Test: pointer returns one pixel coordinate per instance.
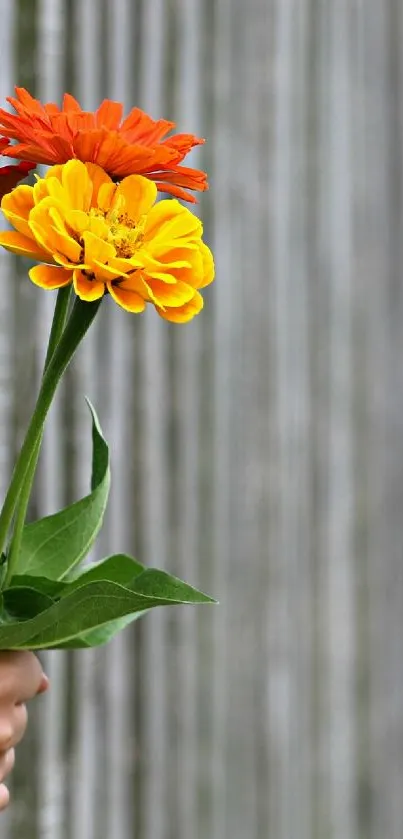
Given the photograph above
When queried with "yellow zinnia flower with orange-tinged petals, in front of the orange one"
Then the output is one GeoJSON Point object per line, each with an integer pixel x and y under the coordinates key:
{"type": "Point", "coordinates": [110, 237]}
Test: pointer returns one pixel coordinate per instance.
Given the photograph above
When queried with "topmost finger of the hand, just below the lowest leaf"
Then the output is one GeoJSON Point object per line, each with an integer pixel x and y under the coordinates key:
{"type": "Point", "coordinates": [20, 676]}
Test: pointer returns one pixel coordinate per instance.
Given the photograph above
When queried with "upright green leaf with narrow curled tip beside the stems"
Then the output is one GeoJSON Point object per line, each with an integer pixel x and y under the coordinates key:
{"type": "Point", "coordinates": [54, 545]}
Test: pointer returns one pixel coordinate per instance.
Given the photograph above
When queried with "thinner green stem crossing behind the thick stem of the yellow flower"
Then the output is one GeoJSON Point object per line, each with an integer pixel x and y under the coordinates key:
{"type": "Point", "coordinates": [58, 324]}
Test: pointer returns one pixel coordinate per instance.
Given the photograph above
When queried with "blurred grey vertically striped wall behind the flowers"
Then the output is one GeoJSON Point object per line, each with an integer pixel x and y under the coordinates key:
{"type": "Point", "coordinates": [257, 452]}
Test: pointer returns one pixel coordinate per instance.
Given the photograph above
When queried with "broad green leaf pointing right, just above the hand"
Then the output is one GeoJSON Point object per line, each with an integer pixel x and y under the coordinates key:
{"type": "Point", "coordinates": [89, 614]}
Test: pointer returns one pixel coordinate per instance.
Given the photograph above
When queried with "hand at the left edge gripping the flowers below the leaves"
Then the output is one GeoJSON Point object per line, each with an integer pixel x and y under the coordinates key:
{"type": "Point", "coordinates": [21, 678]}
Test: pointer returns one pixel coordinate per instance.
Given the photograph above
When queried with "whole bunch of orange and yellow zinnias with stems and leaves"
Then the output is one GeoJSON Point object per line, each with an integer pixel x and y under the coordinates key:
{"type": "Point", "coordinates": [94, 227]}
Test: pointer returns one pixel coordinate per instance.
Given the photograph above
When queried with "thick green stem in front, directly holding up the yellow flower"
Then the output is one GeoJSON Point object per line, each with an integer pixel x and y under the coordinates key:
{"type": "Point", "coordinates": [79, 322]}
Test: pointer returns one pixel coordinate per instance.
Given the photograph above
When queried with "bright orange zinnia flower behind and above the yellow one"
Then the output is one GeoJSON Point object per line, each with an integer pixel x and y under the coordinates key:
{"type": "Point", "coordinates": [136, 145]}
